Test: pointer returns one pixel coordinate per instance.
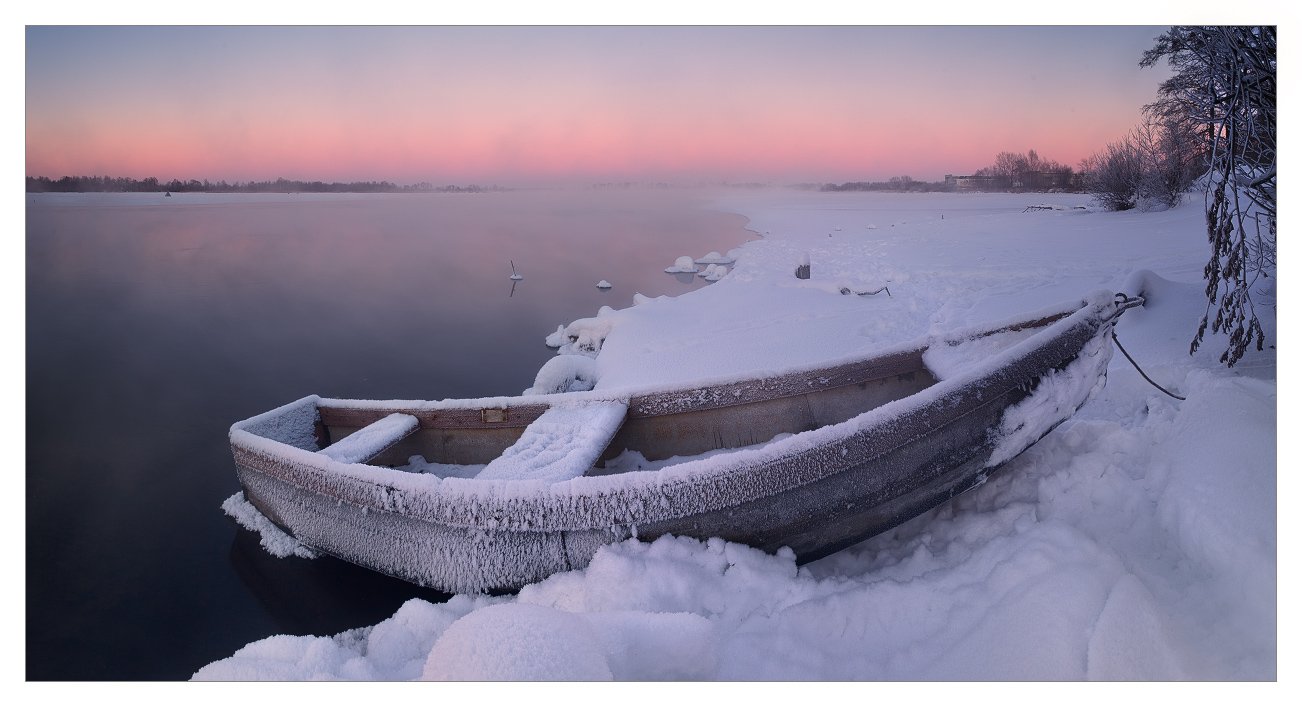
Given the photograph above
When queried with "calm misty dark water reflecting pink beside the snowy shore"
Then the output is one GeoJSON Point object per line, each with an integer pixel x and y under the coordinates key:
{"type": "Point", "coordinates": [154, 324]}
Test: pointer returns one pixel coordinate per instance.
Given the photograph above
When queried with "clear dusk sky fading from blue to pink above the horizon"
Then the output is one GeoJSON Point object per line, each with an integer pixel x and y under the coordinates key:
{"type": "Point", "coordinates": [537, 105]}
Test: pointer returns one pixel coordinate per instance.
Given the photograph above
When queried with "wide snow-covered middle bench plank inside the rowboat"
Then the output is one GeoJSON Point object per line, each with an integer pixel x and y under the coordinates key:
{"type": "Point", "coordinates": [563, 443]}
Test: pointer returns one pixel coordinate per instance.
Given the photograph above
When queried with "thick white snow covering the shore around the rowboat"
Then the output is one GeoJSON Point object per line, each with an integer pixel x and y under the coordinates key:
{"type": "Point", "coordinates": [1136, 542]}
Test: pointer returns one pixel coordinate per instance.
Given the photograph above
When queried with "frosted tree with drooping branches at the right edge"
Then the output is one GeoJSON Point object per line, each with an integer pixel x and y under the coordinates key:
{"type": "Point", "coordinates": [1225, 81]}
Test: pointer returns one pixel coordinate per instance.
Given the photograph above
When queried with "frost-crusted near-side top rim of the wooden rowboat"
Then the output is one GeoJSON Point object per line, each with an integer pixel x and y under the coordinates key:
{"type": "Point", "coordinates": [616, 502]}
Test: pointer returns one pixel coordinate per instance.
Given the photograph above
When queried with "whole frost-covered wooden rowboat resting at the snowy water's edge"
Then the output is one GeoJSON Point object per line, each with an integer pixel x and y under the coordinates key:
{"type": "Point", "coordinates": [813, 460]}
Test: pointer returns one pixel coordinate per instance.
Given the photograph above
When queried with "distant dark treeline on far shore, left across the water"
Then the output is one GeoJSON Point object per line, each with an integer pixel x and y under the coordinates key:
{"type": "Point", "coordinates": [282, 186]}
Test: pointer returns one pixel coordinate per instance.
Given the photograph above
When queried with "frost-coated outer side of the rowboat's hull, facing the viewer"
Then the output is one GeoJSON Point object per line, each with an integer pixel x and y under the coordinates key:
{"type": "Point", "coordinates": [816, 494]}
